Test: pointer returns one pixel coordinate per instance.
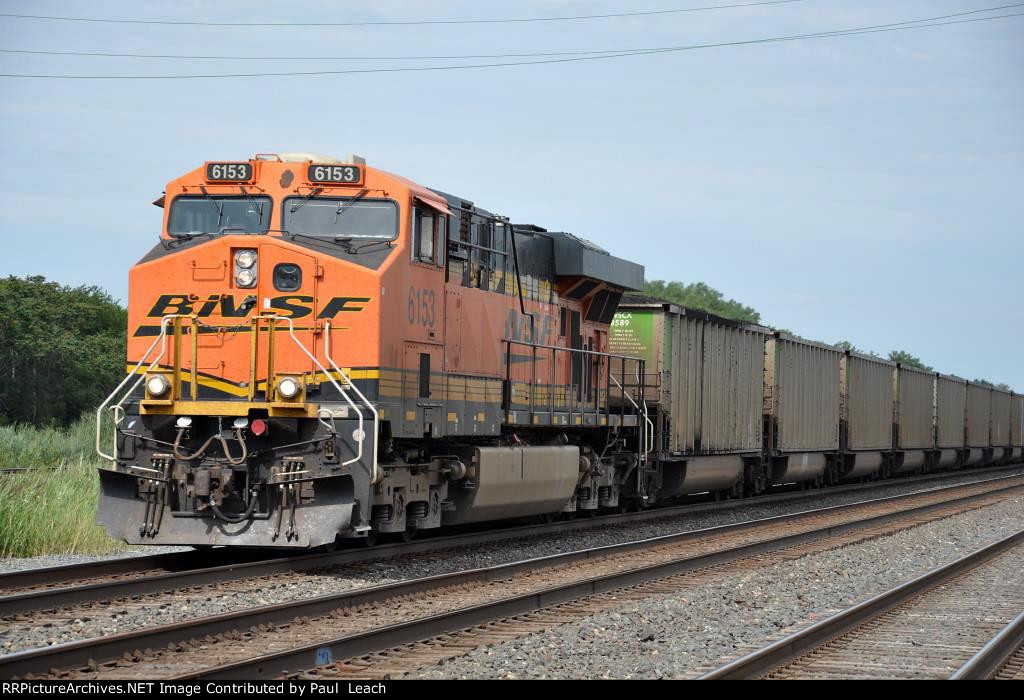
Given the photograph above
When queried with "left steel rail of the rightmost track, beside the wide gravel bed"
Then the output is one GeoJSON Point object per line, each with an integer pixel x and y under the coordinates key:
{"type": "Point", "coordinates": [782, 652]}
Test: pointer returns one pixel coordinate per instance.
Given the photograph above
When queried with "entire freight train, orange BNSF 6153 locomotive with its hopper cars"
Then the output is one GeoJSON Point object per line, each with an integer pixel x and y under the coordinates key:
{"type": "Point", "coordinates": [322, 351]}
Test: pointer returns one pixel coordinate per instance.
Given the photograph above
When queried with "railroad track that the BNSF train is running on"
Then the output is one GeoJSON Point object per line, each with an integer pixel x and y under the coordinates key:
{"type": "Point", "coordinates": [77, 585]}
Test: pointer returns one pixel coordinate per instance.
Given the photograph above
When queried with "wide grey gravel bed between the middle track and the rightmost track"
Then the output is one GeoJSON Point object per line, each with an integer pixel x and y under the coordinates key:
{"type": "Point", "coordinates": [675, 636]}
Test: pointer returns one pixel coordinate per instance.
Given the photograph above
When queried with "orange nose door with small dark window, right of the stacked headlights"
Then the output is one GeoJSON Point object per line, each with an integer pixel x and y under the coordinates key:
{"type": "Point", "coordinates": [287, 287]}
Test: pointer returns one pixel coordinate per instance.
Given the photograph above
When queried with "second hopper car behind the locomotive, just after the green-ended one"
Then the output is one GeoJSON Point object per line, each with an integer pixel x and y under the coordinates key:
{"type": "Point", "coordinates": [801, 409]}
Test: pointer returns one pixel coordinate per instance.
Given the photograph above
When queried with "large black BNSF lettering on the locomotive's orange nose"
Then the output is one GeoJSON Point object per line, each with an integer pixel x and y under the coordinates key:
{"type": "Point", "coordinates": [225, 305]}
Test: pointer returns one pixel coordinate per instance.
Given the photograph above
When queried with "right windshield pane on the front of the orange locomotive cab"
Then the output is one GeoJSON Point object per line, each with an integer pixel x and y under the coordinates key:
{"type": "Point", "coordinates": [343, 218]}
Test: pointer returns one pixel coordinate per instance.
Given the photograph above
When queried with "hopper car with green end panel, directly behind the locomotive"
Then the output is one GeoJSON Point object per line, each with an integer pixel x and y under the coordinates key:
{"type": "Point", "coordinates": [705, 377]}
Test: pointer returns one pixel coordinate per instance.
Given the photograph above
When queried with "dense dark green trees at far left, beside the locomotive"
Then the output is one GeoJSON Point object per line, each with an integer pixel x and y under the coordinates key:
{"type": "Point", "coordinates": [62, 351]}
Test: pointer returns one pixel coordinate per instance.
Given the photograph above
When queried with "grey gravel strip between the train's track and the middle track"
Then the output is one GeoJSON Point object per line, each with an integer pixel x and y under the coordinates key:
{"type": "Point", "coordinates": [110, 619]}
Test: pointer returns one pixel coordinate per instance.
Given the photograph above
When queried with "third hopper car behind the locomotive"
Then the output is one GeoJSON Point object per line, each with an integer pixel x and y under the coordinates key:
{"type": "Point", "coordinates": [867, 416]}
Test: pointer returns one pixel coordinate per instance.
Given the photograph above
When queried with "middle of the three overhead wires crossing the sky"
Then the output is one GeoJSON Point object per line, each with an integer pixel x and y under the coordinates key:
{"type": "Point", "coordinates": [175, 57]}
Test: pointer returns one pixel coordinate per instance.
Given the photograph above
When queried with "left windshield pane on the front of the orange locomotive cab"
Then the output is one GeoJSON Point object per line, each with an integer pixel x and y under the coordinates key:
{"type": "Point", "coordinates": [215, 214]}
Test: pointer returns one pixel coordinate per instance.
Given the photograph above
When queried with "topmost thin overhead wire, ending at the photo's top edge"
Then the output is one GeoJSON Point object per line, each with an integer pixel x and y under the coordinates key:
{"type": "Point", "coordinates": [400, 23]}
